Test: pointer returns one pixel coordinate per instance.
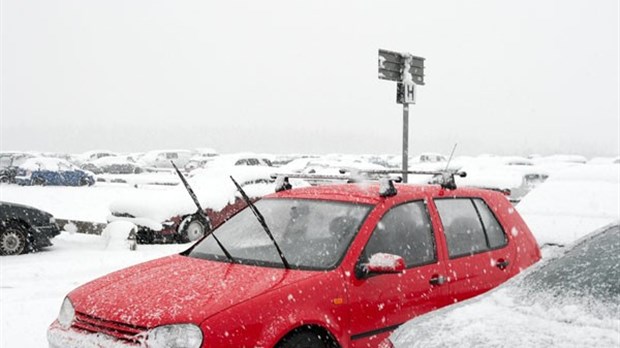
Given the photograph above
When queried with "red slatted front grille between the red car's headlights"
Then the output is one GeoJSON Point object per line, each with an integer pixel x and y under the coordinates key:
{"type": "Point", "coordinates": [128, 333]}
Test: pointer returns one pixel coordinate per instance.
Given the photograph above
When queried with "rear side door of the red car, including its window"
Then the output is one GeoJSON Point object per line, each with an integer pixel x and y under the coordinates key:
{"type": "Point", "coordinates": [479, 252]}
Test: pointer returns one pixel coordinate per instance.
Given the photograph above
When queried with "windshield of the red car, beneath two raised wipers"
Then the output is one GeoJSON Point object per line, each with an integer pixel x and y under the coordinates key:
{"type": "Point", "coordinates": [313, 234]}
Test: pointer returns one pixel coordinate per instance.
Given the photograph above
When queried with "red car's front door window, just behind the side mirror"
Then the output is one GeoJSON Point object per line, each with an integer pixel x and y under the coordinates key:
{"type": "Point", "coordinates": [405, 231]}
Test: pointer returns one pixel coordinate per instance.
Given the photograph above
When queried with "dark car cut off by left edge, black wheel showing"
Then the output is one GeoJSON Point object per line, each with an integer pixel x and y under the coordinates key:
{"type": "Point", "coordinates": [24, 228]}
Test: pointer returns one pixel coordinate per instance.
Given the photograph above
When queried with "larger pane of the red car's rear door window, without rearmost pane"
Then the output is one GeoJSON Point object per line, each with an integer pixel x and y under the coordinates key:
{"type": "Point", "coordinates": [462, 227]}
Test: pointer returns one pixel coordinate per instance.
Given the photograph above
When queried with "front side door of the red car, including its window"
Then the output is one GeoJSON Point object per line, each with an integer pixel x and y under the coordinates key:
{"type": "Point", "coordinates": [379, 303]}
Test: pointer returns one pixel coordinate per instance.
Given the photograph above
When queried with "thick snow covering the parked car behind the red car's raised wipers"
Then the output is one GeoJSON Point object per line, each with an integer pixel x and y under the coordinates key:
{"type": "Point", "coordinates": [213, 188]}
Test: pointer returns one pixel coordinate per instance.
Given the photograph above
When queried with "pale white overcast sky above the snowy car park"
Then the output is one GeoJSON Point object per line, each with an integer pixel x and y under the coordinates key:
{"type": "Point", "coordinates": [505, 77]}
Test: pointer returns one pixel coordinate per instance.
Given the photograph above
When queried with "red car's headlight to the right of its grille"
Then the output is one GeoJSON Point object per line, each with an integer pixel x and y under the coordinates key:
{"type": "Point", "coordinates": [175, 336]}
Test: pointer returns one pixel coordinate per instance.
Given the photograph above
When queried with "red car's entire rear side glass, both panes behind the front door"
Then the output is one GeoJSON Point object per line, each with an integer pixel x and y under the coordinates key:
{"type": "Point", "coordinates": [469, 226]}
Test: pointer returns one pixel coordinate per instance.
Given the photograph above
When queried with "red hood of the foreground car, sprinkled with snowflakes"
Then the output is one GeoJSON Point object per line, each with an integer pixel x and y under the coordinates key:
{"type": "Point", "coordinates": [177, 289]}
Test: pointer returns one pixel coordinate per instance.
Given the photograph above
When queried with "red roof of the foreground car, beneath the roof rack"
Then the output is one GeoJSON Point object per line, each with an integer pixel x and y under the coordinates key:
{"type": "Point", "coordinates": [368, 193]}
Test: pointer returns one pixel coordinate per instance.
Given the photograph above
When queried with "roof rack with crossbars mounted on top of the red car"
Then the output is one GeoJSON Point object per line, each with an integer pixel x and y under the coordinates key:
{"type": "Point", "coordinates": [445, 178]}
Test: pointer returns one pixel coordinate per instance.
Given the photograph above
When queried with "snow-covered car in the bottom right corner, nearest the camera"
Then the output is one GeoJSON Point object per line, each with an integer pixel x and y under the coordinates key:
{"type": "Point", "coordinates": [568, 301]}
